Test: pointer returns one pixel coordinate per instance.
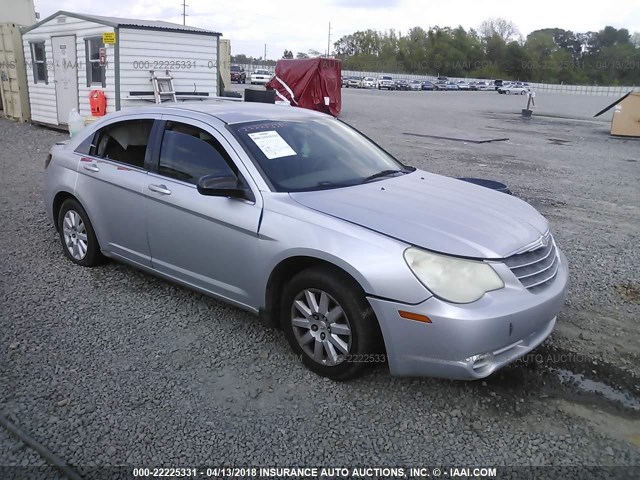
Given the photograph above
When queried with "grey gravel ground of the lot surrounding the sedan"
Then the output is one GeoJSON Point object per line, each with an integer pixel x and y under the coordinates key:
{"type": "Point", "coordinates": [110, 366]}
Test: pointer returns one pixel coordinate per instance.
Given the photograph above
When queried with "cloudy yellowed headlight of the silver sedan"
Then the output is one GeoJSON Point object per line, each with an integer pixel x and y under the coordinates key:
{"type": "Point", "coordinates": [453, 279]}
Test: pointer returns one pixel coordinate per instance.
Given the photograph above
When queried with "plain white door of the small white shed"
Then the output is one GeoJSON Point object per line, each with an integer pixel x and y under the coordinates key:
{"type": "Point", "coordinates": [66, 75]}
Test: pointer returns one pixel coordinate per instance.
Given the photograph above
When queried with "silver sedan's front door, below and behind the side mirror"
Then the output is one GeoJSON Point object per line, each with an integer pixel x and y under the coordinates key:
{"type": "Point", "coordinates": [208, 242]}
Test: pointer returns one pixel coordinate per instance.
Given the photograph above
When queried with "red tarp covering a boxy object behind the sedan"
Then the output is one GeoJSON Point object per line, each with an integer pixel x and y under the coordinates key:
{"type": "Point", "coordinates": [313, 83]}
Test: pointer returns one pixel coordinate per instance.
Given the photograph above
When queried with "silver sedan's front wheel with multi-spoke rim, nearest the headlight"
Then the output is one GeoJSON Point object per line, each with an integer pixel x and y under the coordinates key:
{"type": "Point", "coordinates": [329, 323]}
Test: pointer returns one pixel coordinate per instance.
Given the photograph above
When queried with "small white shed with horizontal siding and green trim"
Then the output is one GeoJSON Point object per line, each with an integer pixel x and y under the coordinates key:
{"type": "Point", "coordinates": [68, 55]}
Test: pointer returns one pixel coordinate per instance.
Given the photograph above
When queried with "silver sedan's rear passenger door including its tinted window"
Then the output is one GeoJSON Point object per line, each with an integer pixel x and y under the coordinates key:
{"type": "Point", "coordinates": [110, 185]}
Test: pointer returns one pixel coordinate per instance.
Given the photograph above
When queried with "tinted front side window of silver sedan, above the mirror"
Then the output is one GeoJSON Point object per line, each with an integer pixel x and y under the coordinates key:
{"type": "Point", "coordinates": [189, 153]}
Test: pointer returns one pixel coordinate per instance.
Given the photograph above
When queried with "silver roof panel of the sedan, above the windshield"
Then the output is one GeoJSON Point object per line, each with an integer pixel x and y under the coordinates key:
{"type": "Point", "coordinates": [230, 112]}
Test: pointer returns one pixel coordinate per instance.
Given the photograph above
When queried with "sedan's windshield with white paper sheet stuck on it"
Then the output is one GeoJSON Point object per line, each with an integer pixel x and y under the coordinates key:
{"type": "Point", "coordinates": [313, 154]}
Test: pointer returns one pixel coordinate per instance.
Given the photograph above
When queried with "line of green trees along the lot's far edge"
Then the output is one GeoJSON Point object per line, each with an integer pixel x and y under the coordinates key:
{"type": "Point", "coordinates": [610, 56]}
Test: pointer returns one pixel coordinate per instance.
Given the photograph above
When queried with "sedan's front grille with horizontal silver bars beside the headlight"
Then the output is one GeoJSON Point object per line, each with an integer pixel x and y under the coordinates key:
{"type": "Point", "coordinates": [535, 269]}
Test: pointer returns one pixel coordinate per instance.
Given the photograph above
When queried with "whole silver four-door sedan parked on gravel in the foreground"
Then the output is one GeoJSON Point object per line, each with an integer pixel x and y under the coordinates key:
{"type": "Point", "coordinates": [298, 218]}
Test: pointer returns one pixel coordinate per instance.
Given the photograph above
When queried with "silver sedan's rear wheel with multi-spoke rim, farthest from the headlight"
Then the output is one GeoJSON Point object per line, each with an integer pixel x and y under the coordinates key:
{"type": "Point", "coordinates": [77, 236]}
